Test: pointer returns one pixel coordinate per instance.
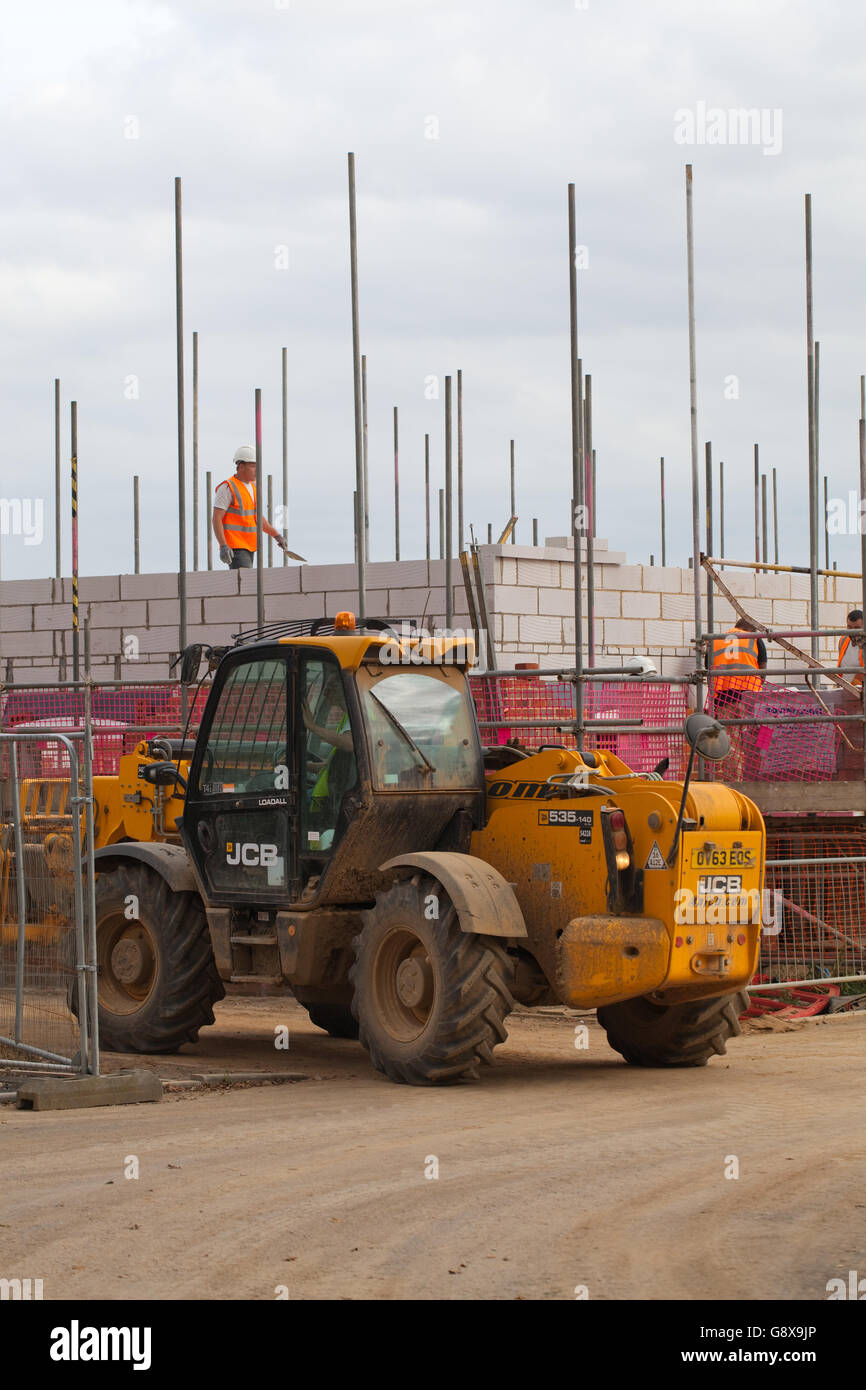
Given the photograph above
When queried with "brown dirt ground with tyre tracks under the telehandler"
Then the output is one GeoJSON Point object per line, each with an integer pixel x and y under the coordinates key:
{"type": "Point", "coordinates": [561, 1168]}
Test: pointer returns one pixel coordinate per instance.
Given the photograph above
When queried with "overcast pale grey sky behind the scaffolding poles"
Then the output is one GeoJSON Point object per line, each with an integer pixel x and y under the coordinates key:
{"type": "Point", "coordinates": [462, 248]}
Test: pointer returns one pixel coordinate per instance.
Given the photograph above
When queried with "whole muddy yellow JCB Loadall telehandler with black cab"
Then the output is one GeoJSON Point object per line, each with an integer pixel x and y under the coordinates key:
{"type": "Point", "coordinates": [334, 829]}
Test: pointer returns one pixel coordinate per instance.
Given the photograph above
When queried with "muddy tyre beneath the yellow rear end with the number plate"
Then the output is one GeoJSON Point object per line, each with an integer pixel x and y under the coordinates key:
{"type": "Point", "coordinates": [673, 1035]}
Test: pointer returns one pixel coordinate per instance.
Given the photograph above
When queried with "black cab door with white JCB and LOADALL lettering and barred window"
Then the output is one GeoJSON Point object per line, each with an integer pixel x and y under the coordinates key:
{"type": "Point", "coordinates": [240, 821]}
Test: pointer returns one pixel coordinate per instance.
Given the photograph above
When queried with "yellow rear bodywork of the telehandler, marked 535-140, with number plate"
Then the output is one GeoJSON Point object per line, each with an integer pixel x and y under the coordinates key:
{"type": "Point", "coordinates": [553, 850]}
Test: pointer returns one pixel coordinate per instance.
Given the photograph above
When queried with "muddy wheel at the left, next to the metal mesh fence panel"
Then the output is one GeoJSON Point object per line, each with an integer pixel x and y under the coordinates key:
{"type": "Point", "coordinates": [158, 981]}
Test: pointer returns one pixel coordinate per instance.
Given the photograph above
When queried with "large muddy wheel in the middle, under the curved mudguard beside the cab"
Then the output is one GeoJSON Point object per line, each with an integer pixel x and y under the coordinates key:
{"type": "Point", "coordinates": [430, 1000]}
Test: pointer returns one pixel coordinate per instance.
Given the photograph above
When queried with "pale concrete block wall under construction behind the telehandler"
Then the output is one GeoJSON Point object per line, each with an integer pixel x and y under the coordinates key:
{"type": "Point", "coordinates": [639, 610]}
